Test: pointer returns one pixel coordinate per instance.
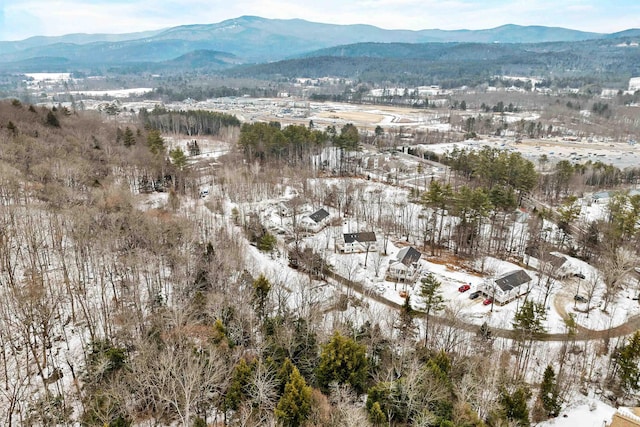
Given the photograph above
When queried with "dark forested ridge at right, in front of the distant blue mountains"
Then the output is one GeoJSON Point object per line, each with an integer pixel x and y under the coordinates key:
{"type": "Point", "coordinates": [437, 63]}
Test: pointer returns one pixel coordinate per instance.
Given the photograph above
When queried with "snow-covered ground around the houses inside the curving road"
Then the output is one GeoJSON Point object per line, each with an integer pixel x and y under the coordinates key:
{"type": "Point", "coordinates": [370, 269]}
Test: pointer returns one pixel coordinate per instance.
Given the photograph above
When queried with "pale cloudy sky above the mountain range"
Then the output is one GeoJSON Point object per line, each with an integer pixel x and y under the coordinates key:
{"type": "Point", "coordinates": [20, 19]}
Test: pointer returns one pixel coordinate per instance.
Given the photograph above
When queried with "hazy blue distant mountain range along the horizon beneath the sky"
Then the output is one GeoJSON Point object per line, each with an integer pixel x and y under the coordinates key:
{"type": "Point", "coordinates": [248, 40]}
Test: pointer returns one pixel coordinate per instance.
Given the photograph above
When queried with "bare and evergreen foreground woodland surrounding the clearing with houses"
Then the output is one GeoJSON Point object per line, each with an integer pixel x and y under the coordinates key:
{"type": "Point", "coordinates": [159, 318]}
